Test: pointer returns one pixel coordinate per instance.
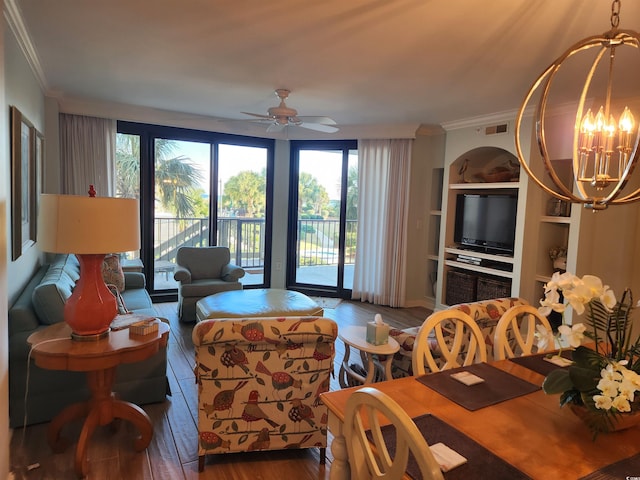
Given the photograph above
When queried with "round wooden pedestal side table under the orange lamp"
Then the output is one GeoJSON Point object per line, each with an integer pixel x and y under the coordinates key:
{"type": "Point", "coordinates": [53, 349]}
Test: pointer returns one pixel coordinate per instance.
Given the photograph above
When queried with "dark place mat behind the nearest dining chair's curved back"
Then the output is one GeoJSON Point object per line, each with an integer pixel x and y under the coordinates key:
{"type": "Point", "coordinates": [481, 463]}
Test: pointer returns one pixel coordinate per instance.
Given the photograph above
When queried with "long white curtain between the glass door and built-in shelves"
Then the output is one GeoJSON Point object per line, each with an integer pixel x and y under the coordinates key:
{"type": "Point", "coordinates": [383, 193]}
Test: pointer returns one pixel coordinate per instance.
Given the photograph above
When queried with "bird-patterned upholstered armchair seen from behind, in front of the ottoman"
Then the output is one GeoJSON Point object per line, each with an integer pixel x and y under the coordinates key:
{"type": "Point", "coordinates": [259, 383]}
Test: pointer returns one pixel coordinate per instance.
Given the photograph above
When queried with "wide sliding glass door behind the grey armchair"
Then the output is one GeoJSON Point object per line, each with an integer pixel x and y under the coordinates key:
{"type": "Point", "coordinates": [197, 189]}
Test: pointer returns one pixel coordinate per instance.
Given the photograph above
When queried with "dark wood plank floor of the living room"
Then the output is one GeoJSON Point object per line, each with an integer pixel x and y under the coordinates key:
{"type": "Point", "coordinates": [173, 452]}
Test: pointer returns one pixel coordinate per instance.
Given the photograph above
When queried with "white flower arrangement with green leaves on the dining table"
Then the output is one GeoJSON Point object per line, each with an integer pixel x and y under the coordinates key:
{"type": "Point", "coordinates": [601, 383]}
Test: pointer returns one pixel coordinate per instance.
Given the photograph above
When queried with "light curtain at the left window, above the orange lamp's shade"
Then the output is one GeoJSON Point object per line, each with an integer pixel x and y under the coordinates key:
{"type": "Point", "coordinates": [87, 154]}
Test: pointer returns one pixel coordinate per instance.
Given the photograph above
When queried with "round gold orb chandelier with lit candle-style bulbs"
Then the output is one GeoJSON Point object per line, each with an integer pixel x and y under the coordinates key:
{"type": "Point", "coordinates": [605, 132]}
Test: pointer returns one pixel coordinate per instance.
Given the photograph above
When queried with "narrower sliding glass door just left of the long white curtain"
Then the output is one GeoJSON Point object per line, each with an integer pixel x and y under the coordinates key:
{"type": "Point", "coordinates": [324, 218]}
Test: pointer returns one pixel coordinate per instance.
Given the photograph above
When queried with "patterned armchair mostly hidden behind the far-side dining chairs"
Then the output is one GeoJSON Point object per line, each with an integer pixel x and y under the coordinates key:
{"type": "Point", "coordinates": [486, 313]}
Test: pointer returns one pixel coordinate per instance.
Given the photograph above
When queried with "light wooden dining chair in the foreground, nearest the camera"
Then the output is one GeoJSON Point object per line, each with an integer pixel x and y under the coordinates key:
{"type": "Point", "coordinates": [370, 458]}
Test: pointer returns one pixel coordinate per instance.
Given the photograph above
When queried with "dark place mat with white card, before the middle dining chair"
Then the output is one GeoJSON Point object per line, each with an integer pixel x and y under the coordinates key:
{"type": "Point", "coordinates": [497, 387]}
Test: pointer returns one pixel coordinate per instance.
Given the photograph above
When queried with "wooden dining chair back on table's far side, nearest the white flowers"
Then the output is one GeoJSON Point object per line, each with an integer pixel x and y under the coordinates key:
{"type": "Point", "coordinates": [515, 333]}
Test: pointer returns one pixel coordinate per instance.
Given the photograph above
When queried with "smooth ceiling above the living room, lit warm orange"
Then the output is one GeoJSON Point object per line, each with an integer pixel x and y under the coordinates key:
{"type": "Point", "coordinates": [366, 63]}
